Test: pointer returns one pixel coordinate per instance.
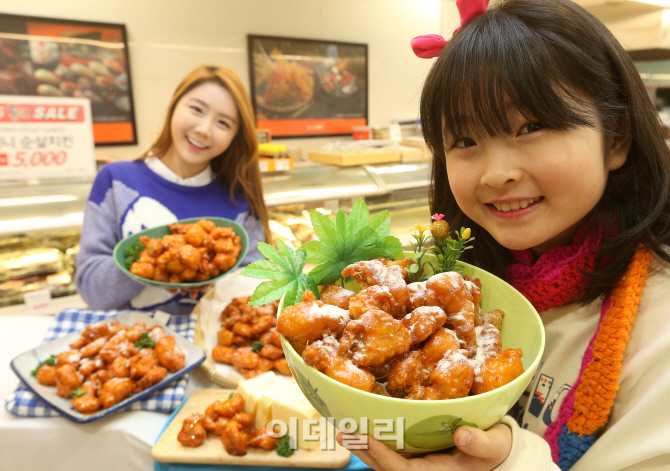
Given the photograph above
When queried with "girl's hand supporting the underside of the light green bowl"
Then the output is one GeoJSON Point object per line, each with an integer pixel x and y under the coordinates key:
{"type": "Point", "coordinates": [476, 450]}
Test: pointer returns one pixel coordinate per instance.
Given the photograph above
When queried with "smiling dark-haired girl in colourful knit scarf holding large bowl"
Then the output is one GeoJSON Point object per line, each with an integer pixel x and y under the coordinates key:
{"type": "Point", "coordinates": [547, 145]}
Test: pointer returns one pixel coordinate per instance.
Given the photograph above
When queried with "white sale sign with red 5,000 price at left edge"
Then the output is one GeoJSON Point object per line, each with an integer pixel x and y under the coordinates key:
{"type": "Point", "coordinates": [45, 137]}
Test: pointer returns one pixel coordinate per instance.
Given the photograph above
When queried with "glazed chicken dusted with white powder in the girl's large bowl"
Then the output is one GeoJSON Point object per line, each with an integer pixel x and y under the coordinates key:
{"type": "Point", "coordinates": [424, 341]}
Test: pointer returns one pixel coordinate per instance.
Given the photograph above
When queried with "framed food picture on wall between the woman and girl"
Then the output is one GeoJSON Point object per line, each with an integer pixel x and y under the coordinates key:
{"type": "Point", "coordinates": [306, 87]}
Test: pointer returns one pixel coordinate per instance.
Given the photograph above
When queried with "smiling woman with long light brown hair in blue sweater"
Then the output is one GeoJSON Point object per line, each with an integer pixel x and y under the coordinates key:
{"type": "Point", "coordinates": [204, 163]}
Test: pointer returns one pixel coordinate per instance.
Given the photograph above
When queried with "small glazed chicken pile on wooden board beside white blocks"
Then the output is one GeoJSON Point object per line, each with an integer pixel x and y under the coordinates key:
{"type": "Point", "coordinates": [227, 420]}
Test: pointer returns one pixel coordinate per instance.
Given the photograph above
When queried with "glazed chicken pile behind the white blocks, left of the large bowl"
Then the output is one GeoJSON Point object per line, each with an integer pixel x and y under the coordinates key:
{"type": "Point", "coordinates": [248, 339]}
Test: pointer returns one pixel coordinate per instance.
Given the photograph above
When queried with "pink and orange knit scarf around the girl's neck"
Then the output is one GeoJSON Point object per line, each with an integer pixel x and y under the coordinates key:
{"type": "Point", "coordinates": [556, 278]}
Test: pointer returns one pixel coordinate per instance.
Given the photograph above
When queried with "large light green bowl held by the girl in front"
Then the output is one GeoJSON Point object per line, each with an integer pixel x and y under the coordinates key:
{"type": "Point", "coordinates": [429, 425]}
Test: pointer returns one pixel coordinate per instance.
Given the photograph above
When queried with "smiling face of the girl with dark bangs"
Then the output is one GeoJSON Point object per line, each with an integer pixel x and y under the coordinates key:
{"type": "Point", "coordinates": [533, 188]}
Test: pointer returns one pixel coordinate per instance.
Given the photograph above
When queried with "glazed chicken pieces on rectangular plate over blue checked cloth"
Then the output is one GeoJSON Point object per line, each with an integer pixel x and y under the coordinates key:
{"type": "Point", "coordinates": [104, 365]}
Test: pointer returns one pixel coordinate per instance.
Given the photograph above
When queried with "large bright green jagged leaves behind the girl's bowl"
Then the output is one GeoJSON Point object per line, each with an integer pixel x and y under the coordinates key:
{"type": "Point", "coordinates": [343, 240]}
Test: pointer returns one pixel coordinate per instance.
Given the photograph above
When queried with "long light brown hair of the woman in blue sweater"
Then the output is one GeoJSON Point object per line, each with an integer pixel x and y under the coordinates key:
{"type": "Point", "coordinates": [238, 165]}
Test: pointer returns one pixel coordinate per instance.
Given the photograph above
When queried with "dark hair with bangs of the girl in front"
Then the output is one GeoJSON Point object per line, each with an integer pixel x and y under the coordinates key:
{"type": "Point", "coordinates": [554, 61]}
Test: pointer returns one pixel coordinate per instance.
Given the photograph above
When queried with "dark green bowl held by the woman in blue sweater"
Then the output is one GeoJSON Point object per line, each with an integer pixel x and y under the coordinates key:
{"type": "Point", "coordinates": [160, 231]}
